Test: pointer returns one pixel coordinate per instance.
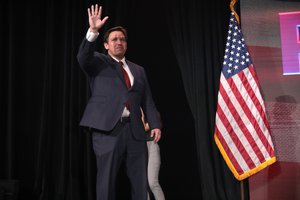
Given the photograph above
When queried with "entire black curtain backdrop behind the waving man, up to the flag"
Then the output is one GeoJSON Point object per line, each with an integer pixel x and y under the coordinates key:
{"type": "Point", "coordinates": [43, 94]}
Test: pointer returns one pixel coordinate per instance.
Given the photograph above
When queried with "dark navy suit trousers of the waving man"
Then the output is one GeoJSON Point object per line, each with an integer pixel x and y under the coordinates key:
{"type": "Point", "coordinates": [111, 149]}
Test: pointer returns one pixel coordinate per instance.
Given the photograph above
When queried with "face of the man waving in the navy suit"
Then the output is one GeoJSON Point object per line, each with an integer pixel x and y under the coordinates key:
{"type": "Point", "coordinates": [116, 44]}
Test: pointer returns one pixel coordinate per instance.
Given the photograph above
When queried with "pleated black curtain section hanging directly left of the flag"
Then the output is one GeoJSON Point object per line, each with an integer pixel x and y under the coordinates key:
{"type": "Point", "coordinates": [198, 32]}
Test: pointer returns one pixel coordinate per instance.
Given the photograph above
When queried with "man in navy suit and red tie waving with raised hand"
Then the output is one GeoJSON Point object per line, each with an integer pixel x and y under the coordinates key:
{"type": "Point", "coordinates": [113, 112]}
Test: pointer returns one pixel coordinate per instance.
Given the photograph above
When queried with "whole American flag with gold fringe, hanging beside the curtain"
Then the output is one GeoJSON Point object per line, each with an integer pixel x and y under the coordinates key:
{"type": "Point", "coordinates": [242, 131]}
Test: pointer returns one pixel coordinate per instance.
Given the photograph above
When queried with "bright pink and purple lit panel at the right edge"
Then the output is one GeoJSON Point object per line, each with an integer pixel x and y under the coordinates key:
{"type": "Point", "coordinates": [290, 42]}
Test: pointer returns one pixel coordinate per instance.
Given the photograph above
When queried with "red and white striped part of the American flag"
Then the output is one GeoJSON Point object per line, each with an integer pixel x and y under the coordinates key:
{"type": "Point", "coordinates": [241, 125]}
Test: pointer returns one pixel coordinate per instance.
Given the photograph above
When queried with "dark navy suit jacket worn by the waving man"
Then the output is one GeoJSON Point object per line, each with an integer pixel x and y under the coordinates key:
{"type": "Point", "coordinates": [109, 93]}
